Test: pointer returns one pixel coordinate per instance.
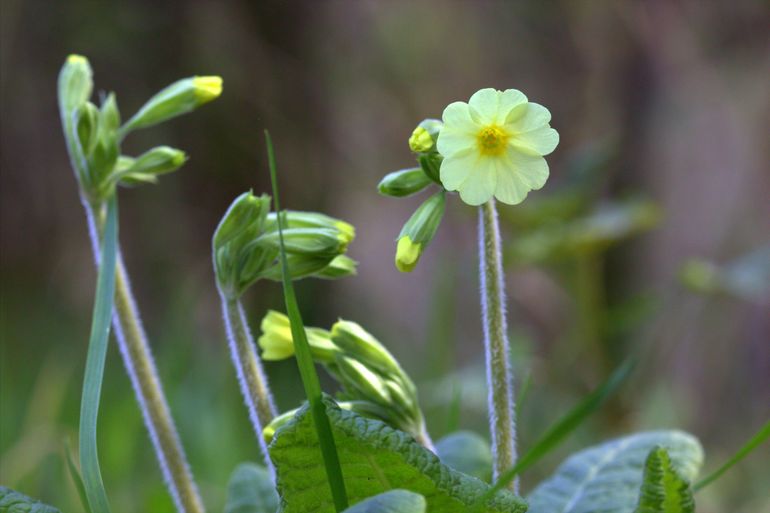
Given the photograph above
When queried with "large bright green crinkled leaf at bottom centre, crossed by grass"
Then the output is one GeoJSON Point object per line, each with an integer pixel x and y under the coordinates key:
{"type": "Point", "coordinates": [375, 458]}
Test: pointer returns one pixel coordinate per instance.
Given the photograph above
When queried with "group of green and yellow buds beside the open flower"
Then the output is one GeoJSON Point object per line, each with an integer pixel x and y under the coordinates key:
{"type": "Point", "coordinates": [419, 230]}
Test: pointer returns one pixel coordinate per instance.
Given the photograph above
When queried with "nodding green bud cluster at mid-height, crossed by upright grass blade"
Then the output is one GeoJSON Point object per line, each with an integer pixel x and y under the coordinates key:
{"type": "Point", "coordinates": [246, 245]}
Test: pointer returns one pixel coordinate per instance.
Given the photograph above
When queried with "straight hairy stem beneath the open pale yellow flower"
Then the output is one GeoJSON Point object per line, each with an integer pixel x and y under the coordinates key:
{"type": "Point", "coordinates": [502, 413]}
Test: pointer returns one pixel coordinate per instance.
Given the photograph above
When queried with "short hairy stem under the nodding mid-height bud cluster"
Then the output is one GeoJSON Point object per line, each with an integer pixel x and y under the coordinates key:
{"type": "Point", "coordinates": [254, 387]}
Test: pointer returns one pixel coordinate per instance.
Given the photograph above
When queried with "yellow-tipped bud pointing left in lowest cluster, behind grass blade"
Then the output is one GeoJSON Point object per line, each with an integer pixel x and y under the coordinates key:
{"type": "Point", "coordinates": [277, 342]}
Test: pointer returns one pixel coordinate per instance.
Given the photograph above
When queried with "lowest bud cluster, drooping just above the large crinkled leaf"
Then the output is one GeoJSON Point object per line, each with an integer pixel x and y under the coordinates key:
{"type": "Point", "coordinates": [373, 383]}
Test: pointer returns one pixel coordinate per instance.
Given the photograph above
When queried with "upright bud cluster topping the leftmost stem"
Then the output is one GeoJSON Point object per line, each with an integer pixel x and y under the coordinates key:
{"type": "Point", "coordinates": [94, 134]}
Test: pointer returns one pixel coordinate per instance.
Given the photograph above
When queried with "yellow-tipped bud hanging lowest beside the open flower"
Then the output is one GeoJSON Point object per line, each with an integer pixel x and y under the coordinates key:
{"type": "Point", "coordinates": [418, 232]}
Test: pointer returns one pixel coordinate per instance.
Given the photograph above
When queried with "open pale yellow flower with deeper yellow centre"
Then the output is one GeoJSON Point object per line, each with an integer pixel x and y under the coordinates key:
{"type": "Point", "coordinates": [494, 146]}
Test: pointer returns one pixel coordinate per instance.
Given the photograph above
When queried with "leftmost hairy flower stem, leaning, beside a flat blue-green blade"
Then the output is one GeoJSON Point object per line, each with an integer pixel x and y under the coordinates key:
{"type": "Point", "coordinates": [137, 358]}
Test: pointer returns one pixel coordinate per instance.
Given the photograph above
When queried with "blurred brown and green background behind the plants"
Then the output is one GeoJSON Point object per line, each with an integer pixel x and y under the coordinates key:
{"type": "Point", "coordinates": [662, 107]}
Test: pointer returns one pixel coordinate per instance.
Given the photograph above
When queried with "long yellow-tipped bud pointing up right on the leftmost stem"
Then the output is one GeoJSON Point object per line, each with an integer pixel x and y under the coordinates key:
{"type": "Point", "coordinates": [179, 98]}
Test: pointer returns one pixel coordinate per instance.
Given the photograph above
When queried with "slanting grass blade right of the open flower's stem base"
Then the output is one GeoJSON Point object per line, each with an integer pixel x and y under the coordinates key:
{"type": "Point", "coordinates": [559, 431]}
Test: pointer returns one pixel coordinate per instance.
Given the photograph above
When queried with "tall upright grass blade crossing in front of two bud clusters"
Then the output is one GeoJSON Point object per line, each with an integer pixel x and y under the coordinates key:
{"type": "Point", "coordinates": [305, 360]}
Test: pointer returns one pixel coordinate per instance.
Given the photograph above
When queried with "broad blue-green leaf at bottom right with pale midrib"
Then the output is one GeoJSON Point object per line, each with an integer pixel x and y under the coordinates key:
{"type": "Point", "coordinates": [607, 477]}
